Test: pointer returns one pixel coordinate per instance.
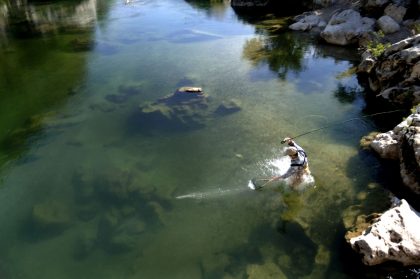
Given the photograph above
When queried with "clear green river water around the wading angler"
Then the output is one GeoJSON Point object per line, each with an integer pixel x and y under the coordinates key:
{"type": "Point", "coordinates": [89, 191]}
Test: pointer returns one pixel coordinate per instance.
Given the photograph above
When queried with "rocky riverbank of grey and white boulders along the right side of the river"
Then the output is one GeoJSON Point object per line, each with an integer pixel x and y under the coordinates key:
{"type": "Point", "coordinates": [386, 34]}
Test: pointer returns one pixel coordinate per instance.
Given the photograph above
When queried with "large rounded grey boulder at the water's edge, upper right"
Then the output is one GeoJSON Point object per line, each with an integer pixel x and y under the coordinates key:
{"type": "Point", "coordinates": [345, 27]}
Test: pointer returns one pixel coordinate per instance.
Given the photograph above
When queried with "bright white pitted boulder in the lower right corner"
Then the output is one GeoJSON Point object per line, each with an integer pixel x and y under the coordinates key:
{"type": "Point", "coordinates": [395, 236]}
